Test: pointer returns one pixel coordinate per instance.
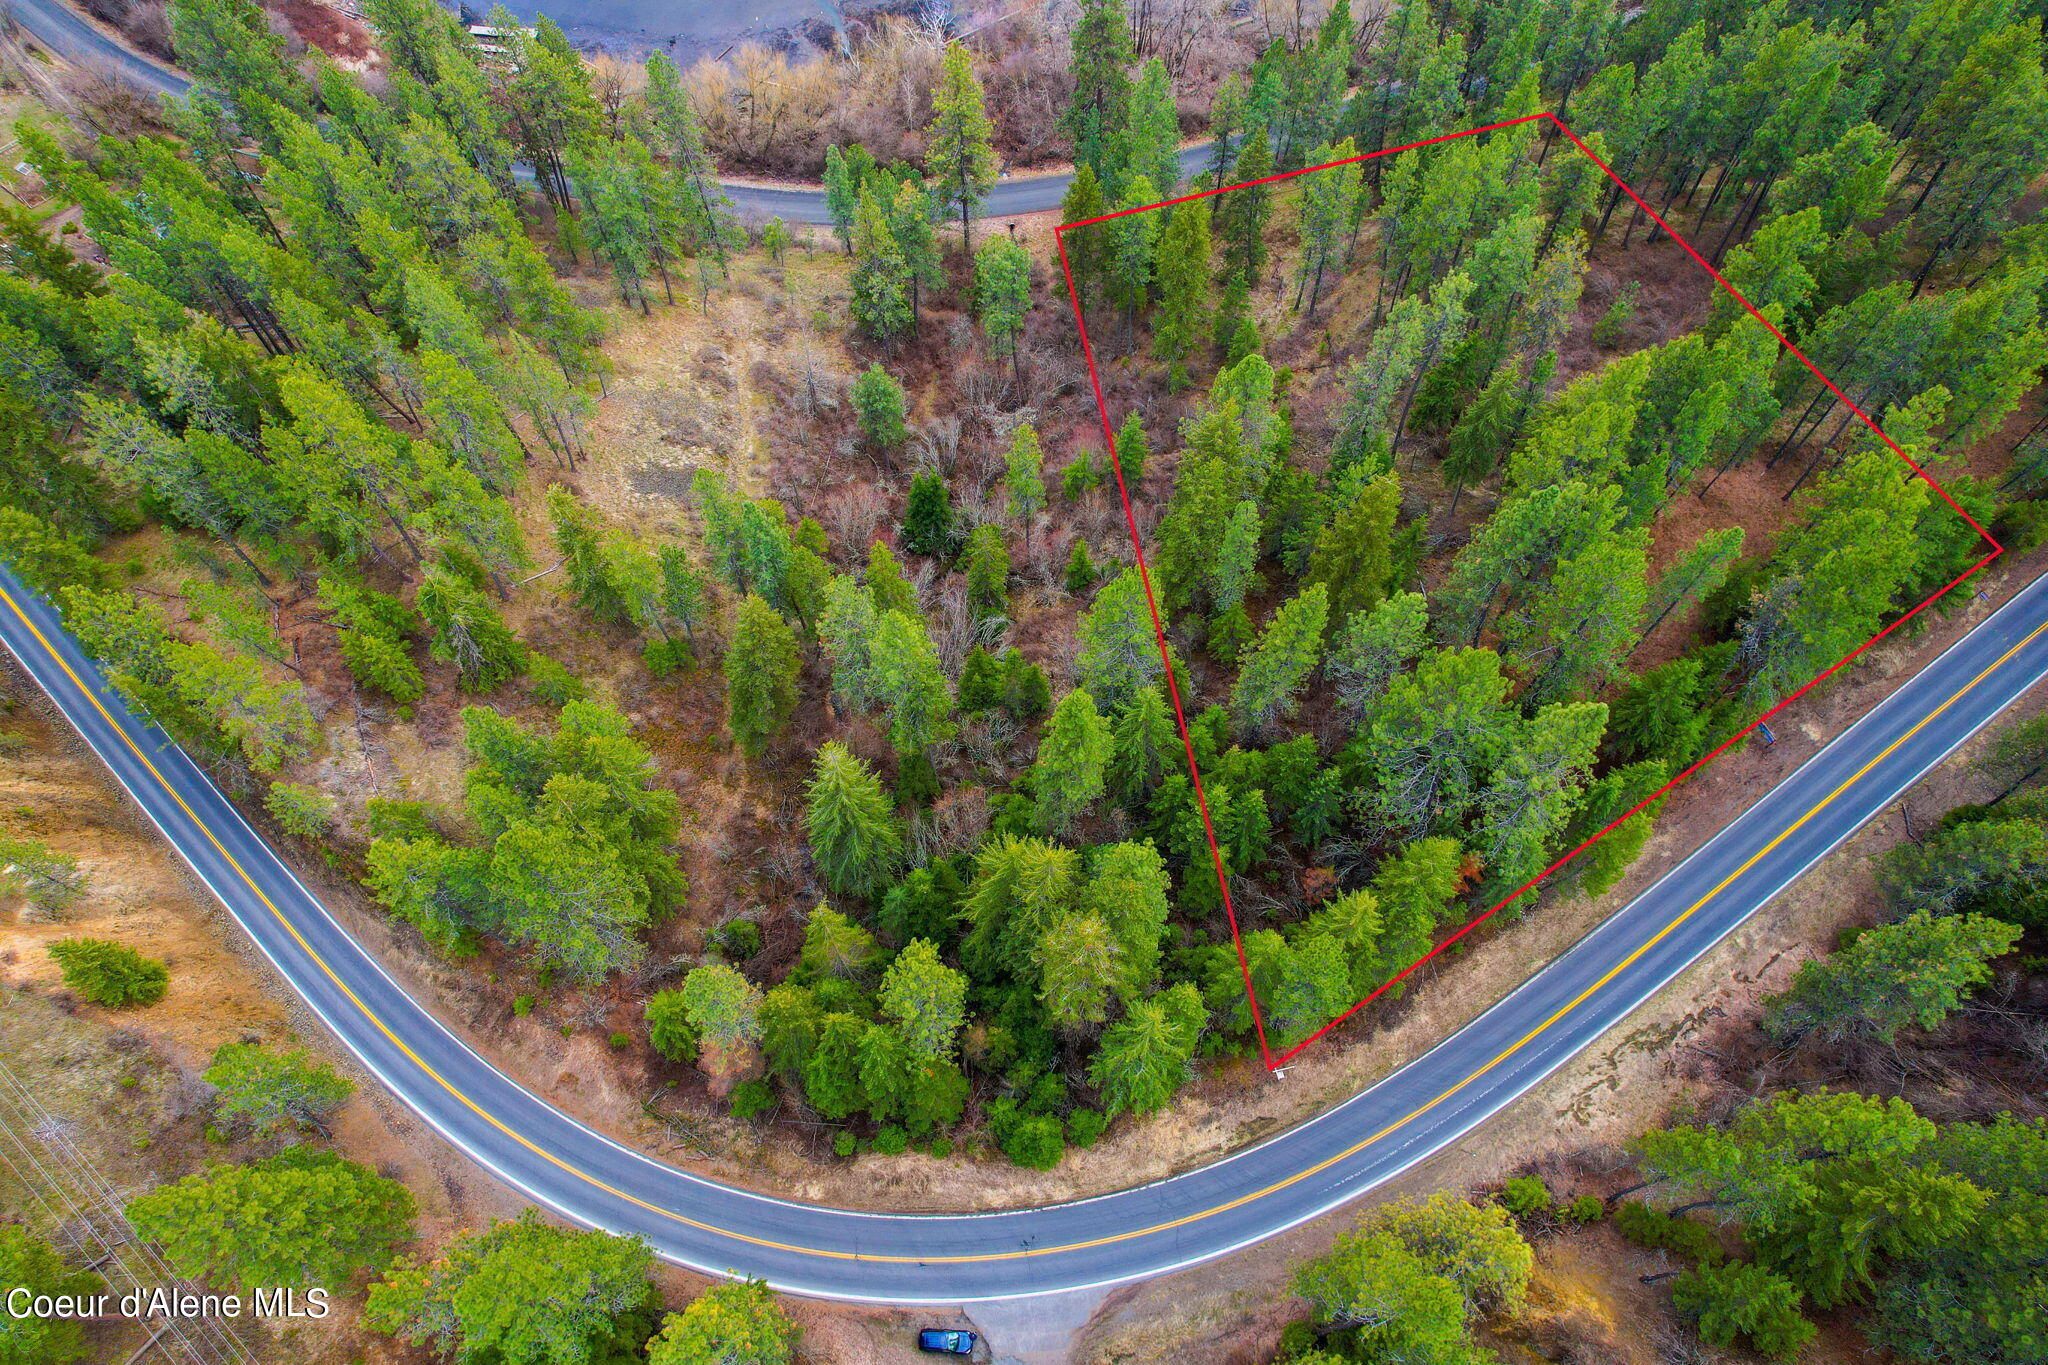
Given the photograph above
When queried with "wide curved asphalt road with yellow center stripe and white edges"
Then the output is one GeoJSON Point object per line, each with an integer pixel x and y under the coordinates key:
{"type": "Point", "coordinates": [1129, 1235]}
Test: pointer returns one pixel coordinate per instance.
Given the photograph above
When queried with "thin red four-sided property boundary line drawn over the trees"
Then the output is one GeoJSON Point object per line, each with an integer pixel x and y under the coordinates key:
{"type": "Point", "coordinates": [1181, 719]}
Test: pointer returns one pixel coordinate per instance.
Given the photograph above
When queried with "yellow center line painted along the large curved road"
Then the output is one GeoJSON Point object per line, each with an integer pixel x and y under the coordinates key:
{"type": "Point", "coordinates": [1033, 1251]}
